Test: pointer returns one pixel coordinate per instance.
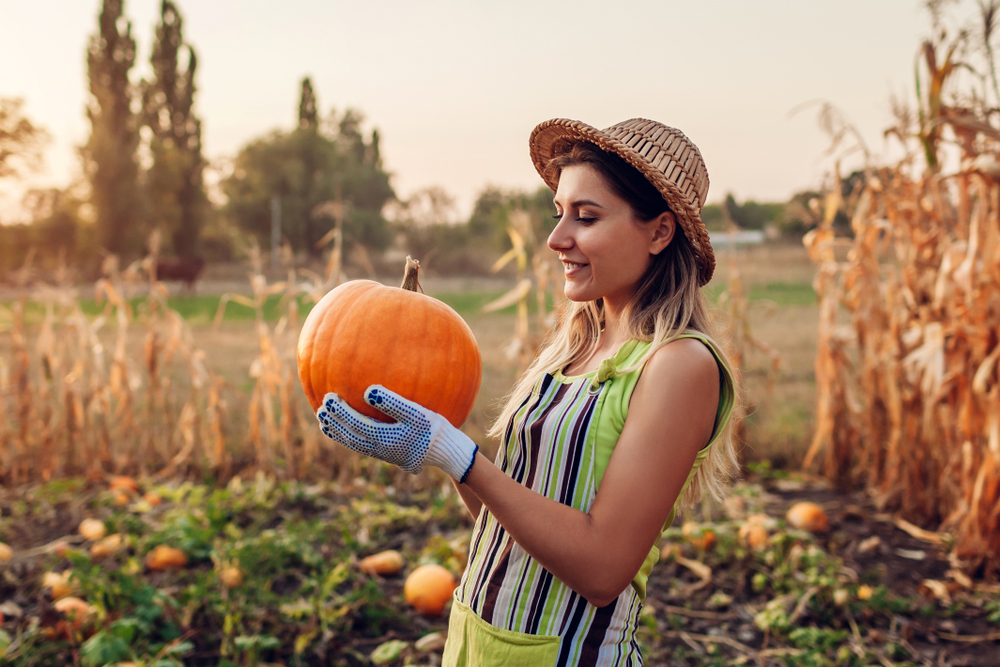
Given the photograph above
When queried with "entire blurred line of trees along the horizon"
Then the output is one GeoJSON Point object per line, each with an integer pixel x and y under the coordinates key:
{"type": "Point", "coordinates": [144, 171]}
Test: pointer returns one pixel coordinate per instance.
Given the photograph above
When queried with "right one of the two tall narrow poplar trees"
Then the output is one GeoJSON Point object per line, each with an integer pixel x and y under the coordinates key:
{"type": "Point", "coordinates": [175, 181]}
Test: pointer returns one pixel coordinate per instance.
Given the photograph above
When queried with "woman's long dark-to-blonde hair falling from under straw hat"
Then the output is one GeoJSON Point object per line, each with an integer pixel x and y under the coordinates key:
{"type": "Point", "coordinates": [667, 303]}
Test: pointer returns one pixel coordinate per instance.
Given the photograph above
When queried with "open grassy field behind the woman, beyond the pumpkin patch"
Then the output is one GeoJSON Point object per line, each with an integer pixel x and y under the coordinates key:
{"type": "Point", "coordinates": [782, 313]}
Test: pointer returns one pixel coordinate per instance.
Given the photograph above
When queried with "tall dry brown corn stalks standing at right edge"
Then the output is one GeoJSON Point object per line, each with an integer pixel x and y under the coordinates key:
{"type": "Point", "coordinates": [909, 335]}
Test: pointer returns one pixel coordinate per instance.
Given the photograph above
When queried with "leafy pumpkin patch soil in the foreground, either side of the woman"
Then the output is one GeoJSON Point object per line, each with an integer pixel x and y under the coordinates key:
{"type": "Point", "coordinates": [843, 595]}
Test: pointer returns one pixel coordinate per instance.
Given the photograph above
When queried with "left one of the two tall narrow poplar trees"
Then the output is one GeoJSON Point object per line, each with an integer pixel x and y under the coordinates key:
{"type": "Point", "coordinates": [110, 152]}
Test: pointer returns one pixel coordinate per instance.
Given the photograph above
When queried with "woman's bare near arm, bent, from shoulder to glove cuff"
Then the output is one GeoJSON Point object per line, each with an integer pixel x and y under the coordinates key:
{"type": "Point", "coordinates": [671, 417]}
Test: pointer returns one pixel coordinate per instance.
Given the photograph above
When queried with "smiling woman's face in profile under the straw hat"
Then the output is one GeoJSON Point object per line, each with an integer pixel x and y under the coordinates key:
{"type": "Point", "coordinates": [605, 249]}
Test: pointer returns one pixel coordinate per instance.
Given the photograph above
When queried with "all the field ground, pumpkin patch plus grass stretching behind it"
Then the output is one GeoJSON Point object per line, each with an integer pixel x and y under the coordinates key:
{"type": "Point", "coordinates": [868, 590]}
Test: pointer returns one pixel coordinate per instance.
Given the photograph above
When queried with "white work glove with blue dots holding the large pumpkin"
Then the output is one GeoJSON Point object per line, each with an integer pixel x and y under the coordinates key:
{"type": "Point", "coordinates": [419, 436]}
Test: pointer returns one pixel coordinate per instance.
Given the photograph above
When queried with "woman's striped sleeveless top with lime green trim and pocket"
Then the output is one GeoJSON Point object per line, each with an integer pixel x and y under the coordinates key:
{"type": "Point", "coordinates": [508, 609]}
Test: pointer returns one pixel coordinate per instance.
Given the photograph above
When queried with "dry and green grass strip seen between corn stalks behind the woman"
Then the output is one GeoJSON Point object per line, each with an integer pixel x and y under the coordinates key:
{"type": "Point", "coordinates": [781, 312]}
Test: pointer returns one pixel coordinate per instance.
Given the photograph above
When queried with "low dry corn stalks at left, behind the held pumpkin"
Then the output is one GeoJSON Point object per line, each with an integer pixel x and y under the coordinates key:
{"type": "Point", "coordinates": [129, 392]}
